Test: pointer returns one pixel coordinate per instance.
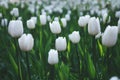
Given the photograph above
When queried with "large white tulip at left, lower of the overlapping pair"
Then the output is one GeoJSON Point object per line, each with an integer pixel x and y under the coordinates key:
{"type": "Point", "coordinates": [26, 42]}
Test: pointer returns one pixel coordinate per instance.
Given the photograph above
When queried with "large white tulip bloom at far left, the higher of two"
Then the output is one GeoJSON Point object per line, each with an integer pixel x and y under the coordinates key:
{"type": "Point", "coordinates": [15, 28]}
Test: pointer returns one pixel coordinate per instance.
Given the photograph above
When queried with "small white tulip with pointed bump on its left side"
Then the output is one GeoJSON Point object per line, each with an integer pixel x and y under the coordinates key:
{"type": "Point", "coordinates": [74, 37]}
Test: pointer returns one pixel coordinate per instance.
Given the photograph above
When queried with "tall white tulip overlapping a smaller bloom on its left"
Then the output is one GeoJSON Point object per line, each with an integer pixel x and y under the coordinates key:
{"type": "Point", "coordinates": [94, 26]}
